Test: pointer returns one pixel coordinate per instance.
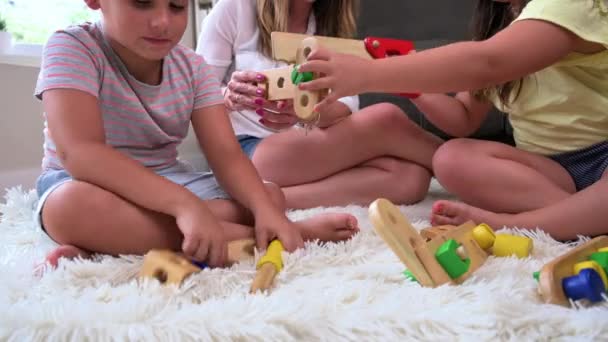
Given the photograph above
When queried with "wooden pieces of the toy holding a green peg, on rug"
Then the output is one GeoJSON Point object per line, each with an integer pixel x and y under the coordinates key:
{"type": "Point", "coordinates": [417, 254]}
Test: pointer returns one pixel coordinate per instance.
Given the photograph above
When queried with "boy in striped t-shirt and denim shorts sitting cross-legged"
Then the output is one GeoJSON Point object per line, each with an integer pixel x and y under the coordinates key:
{"type": "Point", "coordinates": [118, 97]}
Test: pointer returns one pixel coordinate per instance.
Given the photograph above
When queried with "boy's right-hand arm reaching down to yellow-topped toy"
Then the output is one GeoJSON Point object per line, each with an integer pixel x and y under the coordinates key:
{"type": "Point", "coordinates": [237, 175]}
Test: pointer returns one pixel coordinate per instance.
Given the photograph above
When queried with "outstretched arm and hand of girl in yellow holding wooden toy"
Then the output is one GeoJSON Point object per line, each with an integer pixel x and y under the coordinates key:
{"type": "Point", "coordinates": [521, 49]}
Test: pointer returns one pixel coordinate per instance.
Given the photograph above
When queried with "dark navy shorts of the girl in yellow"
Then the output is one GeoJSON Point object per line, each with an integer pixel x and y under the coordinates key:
{"type": "Point", "coordinates": [586, 166]}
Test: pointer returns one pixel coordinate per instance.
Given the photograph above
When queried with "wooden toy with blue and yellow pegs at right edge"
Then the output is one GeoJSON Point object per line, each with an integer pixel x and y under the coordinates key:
{"type": "Point", "coordinates": [577, 275]}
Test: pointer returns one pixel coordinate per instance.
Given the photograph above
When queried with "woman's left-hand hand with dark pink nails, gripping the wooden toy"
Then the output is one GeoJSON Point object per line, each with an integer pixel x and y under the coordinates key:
{"type": "Point", "coordinates": [242, 91]}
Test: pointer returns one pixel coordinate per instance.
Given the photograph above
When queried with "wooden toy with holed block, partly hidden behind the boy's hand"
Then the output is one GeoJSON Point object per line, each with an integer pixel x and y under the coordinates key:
{"type": "Point", "coordinates": [170, 268]}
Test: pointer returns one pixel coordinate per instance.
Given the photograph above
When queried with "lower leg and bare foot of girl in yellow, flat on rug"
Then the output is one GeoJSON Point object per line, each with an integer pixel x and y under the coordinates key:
{"type": "Point", "coordinates": [583, 213]}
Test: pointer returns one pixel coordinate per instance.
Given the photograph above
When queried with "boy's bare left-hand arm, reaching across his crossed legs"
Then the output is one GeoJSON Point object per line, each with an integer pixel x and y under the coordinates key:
{"type": "Point", "coordinates": [75, 123]}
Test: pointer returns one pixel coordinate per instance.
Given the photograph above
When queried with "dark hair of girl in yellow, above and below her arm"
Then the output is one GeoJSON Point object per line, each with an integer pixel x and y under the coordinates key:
{"type": "Point", "coordinates": [489, 18]}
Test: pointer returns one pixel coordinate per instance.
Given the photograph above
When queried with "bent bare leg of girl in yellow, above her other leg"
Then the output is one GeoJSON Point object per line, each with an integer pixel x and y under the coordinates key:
{"type": "Point", "coordinates": [500, 178]}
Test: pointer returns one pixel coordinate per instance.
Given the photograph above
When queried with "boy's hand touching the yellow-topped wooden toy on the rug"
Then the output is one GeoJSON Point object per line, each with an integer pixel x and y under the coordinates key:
{"type": "Point", "coordinates": [276, 226]}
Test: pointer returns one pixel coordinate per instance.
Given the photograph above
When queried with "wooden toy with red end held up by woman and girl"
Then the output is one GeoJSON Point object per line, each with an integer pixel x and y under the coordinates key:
{"type": "Point", "coordinates": [294, 49]}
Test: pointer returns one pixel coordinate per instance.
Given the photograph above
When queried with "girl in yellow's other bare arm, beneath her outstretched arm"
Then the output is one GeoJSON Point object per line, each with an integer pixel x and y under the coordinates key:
{"type": "Point", "coordinates": [458, 116]}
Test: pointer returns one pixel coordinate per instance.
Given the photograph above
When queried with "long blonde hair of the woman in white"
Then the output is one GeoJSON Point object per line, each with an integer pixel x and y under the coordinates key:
{"type": "Point", "coordinates": [335, 18]}
